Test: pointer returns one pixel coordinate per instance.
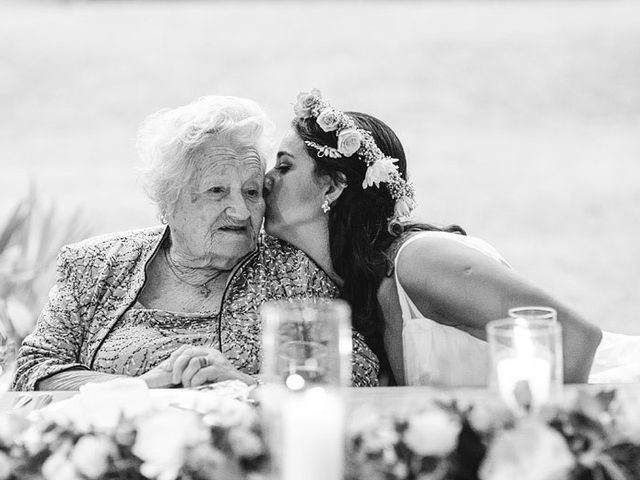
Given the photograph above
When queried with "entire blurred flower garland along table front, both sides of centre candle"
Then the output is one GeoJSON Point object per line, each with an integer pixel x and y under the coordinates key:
{"type": "Point", "coordinates": [590, 437]}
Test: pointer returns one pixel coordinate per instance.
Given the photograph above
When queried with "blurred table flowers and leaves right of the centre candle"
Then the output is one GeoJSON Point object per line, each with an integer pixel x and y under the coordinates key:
{"type": "Point", "coordinates": [594, 437]}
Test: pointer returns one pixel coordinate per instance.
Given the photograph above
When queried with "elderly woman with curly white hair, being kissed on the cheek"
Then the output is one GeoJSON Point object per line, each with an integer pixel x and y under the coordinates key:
{"type": "Point", "coordinates": [177, 304]}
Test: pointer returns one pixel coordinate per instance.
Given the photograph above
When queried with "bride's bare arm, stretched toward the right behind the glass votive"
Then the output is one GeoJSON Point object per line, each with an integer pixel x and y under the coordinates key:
{"type": "Point", "coordinates": [457, 285]}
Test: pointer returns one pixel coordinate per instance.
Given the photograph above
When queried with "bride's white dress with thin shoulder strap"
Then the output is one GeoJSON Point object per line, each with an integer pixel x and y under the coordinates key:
{"type": "Point", "coordinates": [437, 354]}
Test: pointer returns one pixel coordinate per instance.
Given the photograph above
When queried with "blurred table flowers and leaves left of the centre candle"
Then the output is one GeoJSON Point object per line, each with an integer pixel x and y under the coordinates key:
{"type": "Point", "coordinates": [164, 444]}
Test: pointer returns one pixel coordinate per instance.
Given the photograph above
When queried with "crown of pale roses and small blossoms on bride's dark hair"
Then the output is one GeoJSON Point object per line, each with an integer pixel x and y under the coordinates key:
{"type": "Point", "coordinates": [353, 140]}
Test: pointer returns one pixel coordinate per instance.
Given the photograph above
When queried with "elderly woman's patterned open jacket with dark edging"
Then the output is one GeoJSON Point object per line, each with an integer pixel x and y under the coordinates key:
{"type": "Point", "coordinates": [101, 277]}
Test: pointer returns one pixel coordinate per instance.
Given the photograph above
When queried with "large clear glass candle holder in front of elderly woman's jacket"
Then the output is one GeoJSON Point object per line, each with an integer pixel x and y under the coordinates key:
{"type": "Point", "coordinates": [306, 359]}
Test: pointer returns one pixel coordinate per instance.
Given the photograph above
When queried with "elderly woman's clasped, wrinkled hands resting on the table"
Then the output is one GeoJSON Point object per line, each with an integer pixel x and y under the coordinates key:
{"type": "Point", "coordinates": [191, 366]}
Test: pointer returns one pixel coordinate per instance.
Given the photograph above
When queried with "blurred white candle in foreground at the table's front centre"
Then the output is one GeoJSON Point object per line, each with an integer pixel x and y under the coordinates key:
{"type": "Point", "coordinates": [312, 436]}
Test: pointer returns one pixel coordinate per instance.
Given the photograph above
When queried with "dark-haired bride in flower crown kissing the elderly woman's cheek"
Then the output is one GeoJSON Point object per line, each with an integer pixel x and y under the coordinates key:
{"type": "Point", "coordinates": [421, 295]}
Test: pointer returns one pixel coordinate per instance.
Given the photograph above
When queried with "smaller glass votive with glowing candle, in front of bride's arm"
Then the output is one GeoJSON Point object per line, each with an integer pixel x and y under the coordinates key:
{"type": "Point", "coordinates": [526, 362]}
